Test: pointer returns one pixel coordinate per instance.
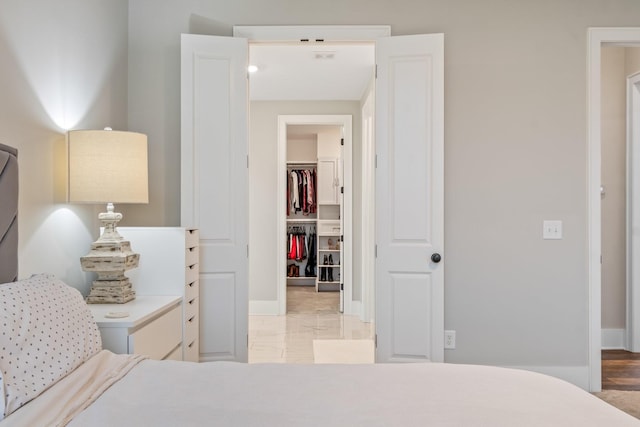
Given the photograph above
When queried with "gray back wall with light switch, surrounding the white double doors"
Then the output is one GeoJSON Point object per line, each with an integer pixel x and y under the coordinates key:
{"type": "Point", "coordinates": [515, 149]}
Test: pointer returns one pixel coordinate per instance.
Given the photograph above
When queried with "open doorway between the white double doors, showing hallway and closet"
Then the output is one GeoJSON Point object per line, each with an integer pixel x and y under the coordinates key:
{"type": "Point", "coordinates": [318, 135]}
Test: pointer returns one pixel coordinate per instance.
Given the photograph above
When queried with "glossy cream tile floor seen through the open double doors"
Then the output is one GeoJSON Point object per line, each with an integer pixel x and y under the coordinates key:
{"type": "Point", "coordinates": [310, 315]}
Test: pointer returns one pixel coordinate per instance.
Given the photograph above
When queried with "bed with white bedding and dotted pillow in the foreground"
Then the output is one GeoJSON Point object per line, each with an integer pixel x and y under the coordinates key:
{"type": "Point", "coordinates": [53, 371]}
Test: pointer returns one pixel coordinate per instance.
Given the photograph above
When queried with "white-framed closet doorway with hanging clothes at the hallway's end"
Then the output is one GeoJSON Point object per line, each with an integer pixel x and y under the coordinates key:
{"type": "Point", "coordinates": [318, 146]}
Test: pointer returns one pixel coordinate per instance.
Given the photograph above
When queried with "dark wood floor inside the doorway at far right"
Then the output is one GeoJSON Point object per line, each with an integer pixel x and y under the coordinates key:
{"type": "Point", "coordinates": [620, 370]}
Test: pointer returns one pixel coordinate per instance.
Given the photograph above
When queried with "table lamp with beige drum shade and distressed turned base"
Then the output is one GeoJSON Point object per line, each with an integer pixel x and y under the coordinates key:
{"type": "Point", "coordinates": [107, 166]}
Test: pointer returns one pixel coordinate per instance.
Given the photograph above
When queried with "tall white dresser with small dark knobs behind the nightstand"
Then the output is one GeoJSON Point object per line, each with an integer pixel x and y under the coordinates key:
{"type": "Point", "coordinates": [169, 266]}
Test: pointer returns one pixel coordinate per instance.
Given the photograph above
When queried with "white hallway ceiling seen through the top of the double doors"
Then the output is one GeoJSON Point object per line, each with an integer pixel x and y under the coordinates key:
{"type": "Point", "coordinates": [315, 71]}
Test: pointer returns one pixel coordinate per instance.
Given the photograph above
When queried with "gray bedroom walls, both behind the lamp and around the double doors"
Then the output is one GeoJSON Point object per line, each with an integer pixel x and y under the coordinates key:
{"type": "Point", "coordinates": [515, 139]}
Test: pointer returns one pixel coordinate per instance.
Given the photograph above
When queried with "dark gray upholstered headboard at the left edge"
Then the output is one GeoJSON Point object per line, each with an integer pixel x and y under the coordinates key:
{"type": "Point", "coordinates": [8, 214]}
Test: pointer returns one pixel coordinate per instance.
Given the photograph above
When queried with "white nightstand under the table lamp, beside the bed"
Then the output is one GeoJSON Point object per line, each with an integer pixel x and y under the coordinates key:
{"type": "Point", "coordinates": [152, 327]}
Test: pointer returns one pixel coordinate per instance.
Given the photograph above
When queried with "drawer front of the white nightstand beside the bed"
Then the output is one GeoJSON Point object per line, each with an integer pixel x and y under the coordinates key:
{"type": "Point", "coordinates": [160, 337]}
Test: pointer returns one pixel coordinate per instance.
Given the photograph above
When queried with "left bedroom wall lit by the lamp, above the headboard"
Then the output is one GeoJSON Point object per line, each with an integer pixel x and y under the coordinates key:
{"type": "Point", "coordinates": [64, 66]}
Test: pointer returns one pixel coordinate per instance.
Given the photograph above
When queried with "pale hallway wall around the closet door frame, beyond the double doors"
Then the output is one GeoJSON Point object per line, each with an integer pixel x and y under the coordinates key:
{"type": "Point", "coordinates": [263, 141]}
